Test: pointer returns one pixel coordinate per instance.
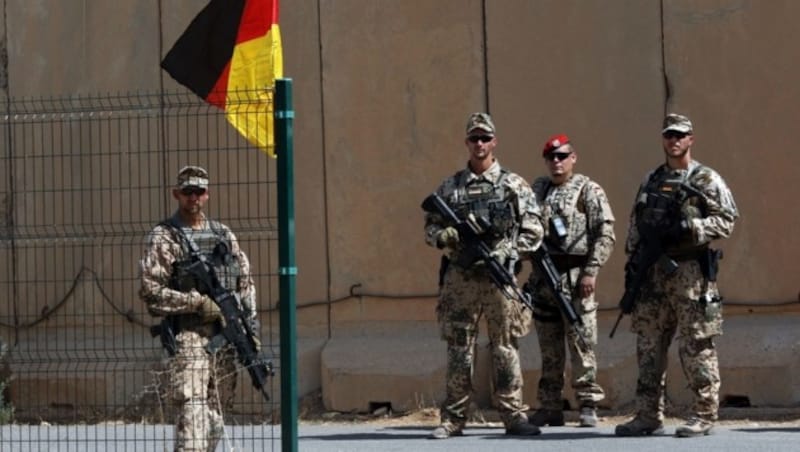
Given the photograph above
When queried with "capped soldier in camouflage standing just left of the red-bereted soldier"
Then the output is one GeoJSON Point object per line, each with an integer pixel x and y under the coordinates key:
{"type": "Point", "coordinates": [483, 189]}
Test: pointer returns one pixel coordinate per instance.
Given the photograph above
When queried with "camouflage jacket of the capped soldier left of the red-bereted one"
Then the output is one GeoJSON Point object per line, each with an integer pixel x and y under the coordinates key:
{"type": "Point", "coordinates": [522, 236]}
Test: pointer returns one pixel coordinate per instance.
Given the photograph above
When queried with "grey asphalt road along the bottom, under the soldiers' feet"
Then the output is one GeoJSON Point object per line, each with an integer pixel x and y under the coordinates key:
{"type": "Point", "coordinates": [754, 436]}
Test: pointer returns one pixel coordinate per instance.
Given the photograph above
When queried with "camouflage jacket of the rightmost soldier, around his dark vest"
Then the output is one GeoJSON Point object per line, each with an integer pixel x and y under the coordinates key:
{"type": "Point", "coordinates": [716, 223]}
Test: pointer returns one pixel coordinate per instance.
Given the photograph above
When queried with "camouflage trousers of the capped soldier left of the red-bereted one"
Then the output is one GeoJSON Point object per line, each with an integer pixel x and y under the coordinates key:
{"type": "Point", "coordinates": [465, 298]}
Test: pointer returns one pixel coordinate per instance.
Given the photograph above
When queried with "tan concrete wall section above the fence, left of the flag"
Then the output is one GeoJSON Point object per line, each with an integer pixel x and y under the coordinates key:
{"type": "Point", "coordinates": [89, 47]}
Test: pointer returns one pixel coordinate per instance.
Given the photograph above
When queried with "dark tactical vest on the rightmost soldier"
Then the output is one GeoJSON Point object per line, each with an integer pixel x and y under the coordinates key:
{"type": "Point", "coordinates": [663, 202]}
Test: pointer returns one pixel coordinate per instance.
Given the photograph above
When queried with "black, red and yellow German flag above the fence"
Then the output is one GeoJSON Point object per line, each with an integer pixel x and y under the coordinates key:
{"type": "Point", "coordinates": [230, 55]}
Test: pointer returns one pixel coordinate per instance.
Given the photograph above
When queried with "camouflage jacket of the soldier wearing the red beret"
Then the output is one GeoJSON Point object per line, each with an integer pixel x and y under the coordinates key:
{"type": "Point", "coordinates": [583, 206]}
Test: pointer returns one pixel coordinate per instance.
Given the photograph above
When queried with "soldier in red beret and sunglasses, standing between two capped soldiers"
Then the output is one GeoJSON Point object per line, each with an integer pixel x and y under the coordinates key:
{"type": "Point", "coordinates": [579, 235]}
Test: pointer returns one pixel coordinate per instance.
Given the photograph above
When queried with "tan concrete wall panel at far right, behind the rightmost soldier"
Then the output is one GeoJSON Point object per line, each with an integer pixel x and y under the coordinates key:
{"type": "Point", "coordinates": [732, 68]}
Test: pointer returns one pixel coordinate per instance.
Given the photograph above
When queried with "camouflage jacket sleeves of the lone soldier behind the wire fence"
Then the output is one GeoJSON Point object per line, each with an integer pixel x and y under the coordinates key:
{"type": "Point", "coordinates": [163, 248]}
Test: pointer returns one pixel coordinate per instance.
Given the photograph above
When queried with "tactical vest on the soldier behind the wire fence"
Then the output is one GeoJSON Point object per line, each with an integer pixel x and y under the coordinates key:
{"type": "Point", "coordinates": [212, 243]}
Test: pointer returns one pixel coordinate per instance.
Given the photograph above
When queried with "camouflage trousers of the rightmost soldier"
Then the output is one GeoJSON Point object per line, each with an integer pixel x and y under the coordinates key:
{"type": "Point", "coordinates": [672, 303]}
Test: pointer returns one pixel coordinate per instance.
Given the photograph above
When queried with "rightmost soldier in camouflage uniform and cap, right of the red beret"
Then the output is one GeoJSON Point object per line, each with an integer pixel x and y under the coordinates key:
{"type": "Point", "coordinates": [683, 205]}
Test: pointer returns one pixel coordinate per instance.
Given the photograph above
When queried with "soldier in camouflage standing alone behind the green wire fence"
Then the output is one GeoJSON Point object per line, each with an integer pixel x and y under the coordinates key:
{"type": "Point", "coordinates": [202, 383]}
